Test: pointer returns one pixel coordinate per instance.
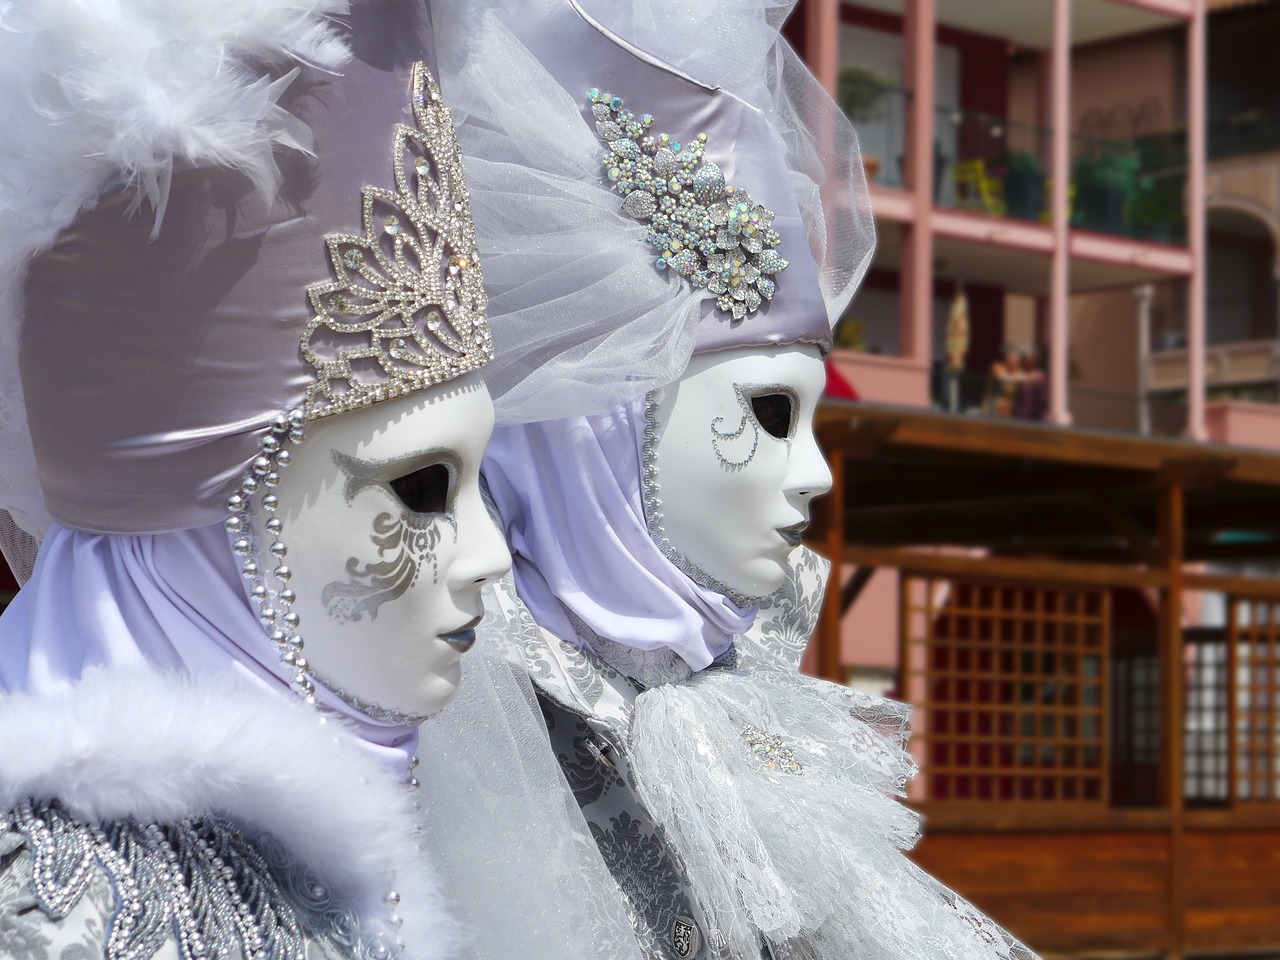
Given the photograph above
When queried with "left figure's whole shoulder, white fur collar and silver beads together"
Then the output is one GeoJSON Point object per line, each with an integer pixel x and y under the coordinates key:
{"type": "Point", "coordinates": [167, 816]}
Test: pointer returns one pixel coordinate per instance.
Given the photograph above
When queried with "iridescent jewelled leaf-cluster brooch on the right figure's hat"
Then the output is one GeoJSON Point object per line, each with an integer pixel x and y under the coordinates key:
{"type": "Point", "coordinates": [705, 230]}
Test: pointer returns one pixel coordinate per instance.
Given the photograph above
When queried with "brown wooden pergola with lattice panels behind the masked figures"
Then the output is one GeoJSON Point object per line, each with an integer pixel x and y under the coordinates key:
{"type": "Point", "coordinates": [1049, 525]}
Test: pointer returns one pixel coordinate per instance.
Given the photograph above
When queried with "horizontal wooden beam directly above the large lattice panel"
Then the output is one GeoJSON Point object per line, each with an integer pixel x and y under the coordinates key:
{"type": "Point", "coordinates": [1023, 570]}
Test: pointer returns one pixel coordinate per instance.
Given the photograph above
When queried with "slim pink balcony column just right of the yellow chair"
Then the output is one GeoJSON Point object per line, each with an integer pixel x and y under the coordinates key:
{"type": "Point", "coordinates": [1060, 172]}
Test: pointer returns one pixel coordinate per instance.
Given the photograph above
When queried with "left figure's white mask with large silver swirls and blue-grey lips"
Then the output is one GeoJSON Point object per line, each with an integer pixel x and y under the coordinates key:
{"type": "Point", "coordinates": [390, 545]}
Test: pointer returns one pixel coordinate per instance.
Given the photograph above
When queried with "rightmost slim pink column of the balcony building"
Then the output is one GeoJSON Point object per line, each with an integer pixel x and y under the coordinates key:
{"type": "Point", "coordinates": [1196, 218]}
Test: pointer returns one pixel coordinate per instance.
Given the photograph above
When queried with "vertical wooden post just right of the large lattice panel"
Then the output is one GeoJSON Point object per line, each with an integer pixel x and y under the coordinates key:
{"type": "Point", "coordinates": [1172, 547]}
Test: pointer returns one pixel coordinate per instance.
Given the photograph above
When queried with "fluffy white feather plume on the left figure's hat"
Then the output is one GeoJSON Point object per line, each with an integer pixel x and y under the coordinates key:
{"type": "Point", "coordinates": [98, 93]}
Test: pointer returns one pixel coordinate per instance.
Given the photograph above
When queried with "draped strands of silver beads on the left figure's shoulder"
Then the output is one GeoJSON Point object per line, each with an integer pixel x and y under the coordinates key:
{"type": "Point", "coordinates": [200, 883]}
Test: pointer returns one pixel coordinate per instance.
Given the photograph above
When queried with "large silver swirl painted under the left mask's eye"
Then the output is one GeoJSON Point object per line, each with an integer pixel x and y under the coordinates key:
{"type": "Point", "coordinates": [405, 547]}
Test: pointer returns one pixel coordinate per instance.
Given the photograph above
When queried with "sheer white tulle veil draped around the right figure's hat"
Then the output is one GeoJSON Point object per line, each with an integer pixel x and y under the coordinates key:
{"type": "Point", "coordinates": [584, 321]}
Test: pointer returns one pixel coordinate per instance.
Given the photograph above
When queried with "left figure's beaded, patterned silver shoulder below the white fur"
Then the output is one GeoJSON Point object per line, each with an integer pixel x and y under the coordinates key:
{"type": "Point", "coordinates": [194, 889]}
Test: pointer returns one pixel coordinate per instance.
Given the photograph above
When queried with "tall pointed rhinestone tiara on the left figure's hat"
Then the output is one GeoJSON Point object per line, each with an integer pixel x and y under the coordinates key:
{"type": "Point", "coordinates": [408, 309]}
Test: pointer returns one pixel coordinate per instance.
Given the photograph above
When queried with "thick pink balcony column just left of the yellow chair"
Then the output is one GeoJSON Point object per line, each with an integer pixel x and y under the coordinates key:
{"type": "Point", "coordinates": [917, 262]}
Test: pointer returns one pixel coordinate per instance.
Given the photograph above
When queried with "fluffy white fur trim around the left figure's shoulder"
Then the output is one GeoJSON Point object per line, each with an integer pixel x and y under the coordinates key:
{"type": "Point", "coordinates": [161, 748]}
